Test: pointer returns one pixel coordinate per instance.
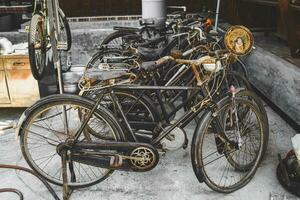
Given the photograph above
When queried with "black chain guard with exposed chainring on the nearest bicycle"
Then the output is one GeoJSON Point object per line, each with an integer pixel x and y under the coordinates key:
{"type": "Point", "coordinates": [127, 156]}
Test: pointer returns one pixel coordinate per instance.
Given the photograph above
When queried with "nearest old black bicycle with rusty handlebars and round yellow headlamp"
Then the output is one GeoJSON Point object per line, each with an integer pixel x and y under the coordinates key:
{"type": "Point", "coordinates": [84, 146]}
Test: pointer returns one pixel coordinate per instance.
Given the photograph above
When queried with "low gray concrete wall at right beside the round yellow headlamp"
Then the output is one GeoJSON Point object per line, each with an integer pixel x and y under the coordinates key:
{"type": "Point", "coordinates": [277, 79]}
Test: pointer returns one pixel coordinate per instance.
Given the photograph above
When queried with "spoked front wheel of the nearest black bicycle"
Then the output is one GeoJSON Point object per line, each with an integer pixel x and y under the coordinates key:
{"type": "Point", "coordinates": [227, 161]}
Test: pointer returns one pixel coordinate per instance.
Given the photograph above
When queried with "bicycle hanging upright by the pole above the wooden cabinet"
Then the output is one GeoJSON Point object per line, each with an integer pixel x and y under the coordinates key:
{"type": "Point", "coordinates": [45, 35]}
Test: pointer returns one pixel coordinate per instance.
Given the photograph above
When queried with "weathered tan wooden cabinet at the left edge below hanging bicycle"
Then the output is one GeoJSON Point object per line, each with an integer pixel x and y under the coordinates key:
{"type": "Point", "coordinates": [18, 88]}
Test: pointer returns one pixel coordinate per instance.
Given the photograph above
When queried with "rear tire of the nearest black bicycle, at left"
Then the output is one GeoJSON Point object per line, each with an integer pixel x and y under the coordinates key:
{"type": "Point", "coordinates": [34, 111]}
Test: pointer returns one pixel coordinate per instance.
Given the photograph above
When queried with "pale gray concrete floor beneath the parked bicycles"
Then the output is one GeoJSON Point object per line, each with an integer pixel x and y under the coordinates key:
{"type": "Point", "coordinates": [173, 178]}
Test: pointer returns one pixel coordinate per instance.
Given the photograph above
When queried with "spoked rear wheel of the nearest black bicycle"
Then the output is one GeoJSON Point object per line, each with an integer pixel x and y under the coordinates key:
{"type": "Point", "coordinates": [56, 119]}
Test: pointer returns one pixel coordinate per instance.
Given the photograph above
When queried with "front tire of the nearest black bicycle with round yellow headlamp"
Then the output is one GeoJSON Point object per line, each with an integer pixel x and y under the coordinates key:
{"type": "Point", "coordinates": [198, 142]}
